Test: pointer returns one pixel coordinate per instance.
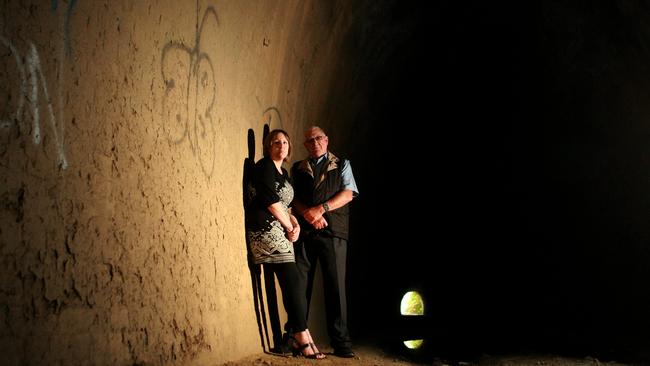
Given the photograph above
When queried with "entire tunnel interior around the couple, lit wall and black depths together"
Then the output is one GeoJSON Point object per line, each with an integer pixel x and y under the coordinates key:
{"type": "Point", "coordinates": [501, 150]}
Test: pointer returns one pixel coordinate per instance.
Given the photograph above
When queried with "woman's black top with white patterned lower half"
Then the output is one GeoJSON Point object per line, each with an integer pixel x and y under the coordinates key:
{"type": "Point", "coordinates": [266, 237]}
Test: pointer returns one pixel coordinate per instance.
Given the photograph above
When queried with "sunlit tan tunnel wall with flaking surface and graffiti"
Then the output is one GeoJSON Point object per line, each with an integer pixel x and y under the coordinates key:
{"type": "Point", "coordinates": [123, 130]}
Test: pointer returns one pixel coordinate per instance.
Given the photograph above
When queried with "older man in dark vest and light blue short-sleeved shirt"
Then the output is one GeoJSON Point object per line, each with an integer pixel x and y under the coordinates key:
{"type": "Point", "coordinates": [324, 185]}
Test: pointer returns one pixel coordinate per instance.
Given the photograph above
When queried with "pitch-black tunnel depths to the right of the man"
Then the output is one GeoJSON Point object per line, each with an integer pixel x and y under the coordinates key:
{"type": "Point", "coordinates": [505, 176]}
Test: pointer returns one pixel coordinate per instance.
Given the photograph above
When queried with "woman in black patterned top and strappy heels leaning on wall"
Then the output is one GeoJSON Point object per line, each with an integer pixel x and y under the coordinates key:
{"type": "Point", "coordinates": [271, 231]}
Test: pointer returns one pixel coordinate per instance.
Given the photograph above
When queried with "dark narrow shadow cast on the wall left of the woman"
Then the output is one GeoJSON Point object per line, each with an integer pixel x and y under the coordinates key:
{"type": "Point", "coordinates": [256, 269]}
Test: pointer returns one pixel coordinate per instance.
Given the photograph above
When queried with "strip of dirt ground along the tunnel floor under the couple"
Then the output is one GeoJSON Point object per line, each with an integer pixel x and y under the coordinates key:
{"type": "Point", "coordinates": [372, 356]}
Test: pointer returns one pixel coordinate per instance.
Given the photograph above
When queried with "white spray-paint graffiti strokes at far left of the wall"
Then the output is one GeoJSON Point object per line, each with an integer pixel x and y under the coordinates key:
{"type": "Point", "coordinates": [29, 89]}
